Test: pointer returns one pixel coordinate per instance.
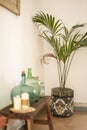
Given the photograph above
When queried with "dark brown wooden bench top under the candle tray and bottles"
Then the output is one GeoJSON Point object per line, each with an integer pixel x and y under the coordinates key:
{"type": "Point", "coordinates": [39, 105]}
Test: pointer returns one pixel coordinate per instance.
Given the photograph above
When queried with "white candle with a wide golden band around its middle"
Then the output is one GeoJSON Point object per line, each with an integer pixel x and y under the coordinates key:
{"type": "Point", "coordinates": [25, 101]}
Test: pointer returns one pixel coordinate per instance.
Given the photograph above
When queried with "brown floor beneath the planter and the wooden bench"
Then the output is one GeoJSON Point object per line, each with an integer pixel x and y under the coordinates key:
{"type": "Point", "coordinates": [78, 121]}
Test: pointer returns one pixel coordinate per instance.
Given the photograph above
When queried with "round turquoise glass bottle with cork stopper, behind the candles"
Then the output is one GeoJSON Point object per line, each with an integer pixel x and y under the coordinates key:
{"type": "Point", "coordinates": [23, 88]}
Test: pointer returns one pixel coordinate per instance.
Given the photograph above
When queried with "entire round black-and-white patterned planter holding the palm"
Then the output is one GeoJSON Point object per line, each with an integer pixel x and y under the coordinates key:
{"type": "Point", "coordinates": [62, 102]}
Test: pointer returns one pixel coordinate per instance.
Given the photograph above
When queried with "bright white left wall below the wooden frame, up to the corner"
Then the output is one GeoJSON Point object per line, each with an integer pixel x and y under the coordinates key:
{"type": "Point", "coordinates": [19, 47]}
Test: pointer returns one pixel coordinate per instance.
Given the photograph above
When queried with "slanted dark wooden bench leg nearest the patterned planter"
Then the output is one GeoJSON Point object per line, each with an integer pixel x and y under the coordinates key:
{"type": "Point", "coordinates": [49, 117]}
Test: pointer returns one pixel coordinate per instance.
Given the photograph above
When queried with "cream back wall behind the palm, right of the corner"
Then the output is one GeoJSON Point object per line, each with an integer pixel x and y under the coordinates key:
{"type": "Point", "coordinates": [71, 12]}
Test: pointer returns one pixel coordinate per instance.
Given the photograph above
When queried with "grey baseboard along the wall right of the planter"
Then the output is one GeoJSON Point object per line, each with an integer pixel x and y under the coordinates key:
{"type": "Point", "coordinates": [80, 107]}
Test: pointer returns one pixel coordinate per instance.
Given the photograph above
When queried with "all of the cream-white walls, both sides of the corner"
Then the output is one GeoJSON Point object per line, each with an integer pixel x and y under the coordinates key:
{"type": "Point", "coordinates": [20, 47]}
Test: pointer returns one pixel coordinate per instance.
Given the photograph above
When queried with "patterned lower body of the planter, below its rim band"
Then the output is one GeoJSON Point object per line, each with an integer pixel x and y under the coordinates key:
{"type": "Point", "coordinates": [62, 107]}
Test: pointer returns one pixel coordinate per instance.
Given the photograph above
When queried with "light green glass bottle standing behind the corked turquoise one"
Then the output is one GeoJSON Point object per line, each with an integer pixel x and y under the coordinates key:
{"type": "Point", "coordinates": [34, 82]}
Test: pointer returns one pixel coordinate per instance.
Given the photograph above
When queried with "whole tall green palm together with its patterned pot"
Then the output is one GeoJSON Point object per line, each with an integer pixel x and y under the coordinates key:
{"type": "Point", "coordinates": [65, 44]}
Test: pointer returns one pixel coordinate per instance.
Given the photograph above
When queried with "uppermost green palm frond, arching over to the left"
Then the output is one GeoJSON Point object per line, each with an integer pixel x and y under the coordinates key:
{"type": "Point", "coordinates": [42, 19]}
